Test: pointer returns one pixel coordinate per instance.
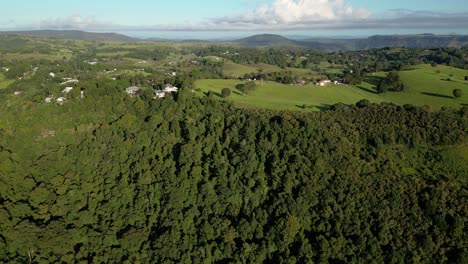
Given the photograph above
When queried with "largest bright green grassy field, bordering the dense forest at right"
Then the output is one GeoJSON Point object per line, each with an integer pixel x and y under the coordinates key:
{"type": "Point", "coordinates": [425, 88]}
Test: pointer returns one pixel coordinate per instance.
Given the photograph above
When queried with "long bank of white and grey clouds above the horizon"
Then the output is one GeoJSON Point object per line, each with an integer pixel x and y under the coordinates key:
{"type": "Point", "coordinates": [285, 15]}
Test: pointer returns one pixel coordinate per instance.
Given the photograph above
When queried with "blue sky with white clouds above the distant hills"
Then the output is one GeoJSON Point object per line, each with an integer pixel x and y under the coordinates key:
{"type": "Point", "coordinates": [205, 19]}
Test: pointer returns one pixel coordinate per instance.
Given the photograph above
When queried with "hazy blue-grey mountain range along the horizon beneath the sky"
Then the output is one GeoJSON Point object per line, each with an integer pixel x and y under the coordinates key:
{"type": "Point", "coordinates": [267, 40]}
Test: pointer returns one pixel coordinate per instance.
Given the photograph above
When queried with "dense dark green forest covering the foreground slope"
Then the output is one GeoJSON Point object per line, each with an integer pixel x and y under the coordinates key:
{"type": "Point", "coordinates": [114, 179]}
